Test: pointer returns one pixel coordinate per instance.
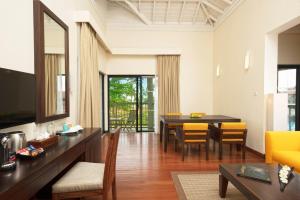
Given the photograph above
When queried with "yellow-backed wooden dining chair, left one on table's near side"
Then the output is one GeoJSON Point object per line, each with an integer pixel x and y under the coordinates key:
{"type": "Point", "coordinates": [193, 133]}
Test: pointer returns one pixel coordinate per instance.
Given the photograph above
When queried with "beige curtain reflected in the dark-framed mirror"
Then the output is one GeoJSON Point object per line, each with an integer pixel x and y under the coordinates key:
{"type": "Point", "coordinates": [51, 72]}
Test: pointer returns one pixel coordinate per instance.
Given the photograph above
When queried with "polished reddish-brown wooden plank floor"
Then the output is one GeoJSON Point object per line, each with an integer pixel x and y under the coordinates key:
{"type": "Point", "coordinates": [144, 170]}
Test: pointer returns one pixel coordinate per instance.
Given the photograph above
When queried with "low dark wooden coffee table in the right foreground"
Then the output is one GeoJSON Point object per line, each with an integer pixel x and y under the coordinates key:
{"type": "Point", "coordinates": [253, 189]}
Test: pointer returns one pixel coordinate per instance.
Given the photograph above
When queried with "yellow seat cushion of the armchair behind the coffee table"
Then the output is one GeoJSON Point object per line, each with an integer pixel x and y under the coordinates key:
{"type": "Point", "coordinates": [290, 158]}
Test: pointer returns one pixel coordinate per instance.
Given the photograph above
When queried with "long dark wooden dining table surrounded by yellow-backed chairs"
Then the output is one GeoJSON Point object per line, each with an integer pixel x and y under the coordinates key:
{"type": "Point", "coordinates": [166, 120]}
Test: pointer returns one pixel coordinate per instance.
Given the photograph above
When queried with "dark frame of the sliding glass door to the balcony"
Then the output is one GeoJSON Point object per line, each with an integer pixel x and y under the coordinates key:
{"type": "Point", "coordinates": [139, 99]}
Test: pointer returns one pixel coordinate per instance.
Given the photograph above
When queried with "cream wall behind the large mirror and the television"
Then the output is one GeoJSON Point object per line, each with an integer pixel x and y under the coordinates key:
{"type": "Point", "coordinates": [17, 44]}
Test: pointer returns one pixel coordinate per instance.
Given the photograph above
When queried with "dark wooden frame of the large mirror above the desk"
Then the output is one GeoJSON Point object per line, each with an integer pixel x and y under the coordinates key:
{"type": "Point", "coordinates": [39, 61]}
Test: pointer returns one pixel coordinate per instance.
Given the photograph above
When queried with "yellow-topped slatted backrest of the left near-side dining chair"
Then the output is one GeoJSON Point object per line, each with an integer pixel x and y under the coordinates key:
{"type": "Point", "coordinates": [195, 132]}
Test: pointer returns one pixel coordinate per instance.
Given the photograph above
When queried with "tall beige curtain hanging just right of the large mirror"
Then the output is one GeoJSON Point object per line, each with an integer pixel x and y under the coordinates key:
{"type": "Point", "coordinates": [89, 78]}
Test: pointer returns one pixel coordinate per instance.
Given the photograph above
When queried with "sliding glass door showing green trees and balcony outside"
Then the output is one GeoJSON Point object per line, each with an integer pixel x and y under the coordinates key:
{"type": "Point", "coordinates": [131, 103]}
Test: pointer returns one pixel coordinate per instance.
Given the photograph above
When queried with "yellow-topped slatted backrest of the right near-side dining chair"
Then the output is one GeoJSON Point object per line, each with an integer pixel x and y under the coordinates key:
{"type": "Point", "coordinates": [233, 131]}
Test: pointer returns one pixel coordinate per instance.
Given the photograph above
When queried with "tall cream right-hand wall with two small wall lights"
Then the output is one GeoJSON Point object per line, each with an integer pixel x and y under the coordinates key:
{"type": "Point", "coordinates": [238, 92]}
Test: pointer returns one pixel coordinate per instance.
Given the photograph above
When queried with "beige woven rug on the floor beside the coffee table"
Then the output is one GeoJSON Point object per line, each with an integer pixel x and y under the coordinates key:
{"type": "Point", "coordinates": [202, 185]}
